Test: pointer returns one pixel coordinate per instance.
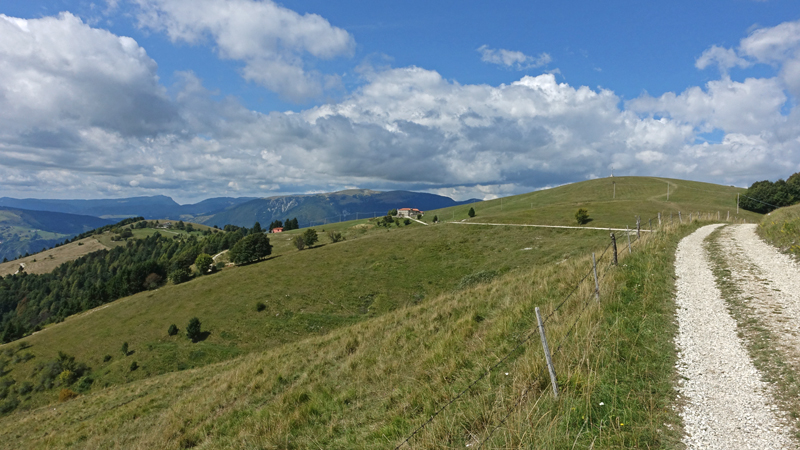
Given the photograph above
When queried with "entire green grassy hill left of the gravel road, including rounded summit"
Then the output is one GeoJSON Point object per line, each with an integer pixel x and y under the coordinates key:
{"type": "Point", "coordinates": [359, 341]}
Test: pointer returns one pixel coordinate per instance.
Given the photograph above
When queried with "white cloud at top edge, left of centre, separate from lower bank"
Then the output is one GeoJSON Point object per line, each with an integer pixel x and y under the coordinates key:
{"type": "Point", "coordinates": [270, 39]}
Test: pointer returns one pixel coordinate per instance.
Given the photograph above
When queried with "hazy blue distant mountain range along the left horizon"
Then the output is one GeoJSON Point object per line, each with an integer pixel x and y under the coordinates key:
{"type": "Point", "coordinates": [27, 225]}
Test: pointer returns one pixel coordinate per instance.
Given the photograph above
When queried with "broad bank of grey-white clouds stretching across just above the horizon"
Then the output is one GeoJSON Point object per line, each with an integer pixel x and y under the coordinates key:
{"type": "Point", "coordinates": [405, 127]}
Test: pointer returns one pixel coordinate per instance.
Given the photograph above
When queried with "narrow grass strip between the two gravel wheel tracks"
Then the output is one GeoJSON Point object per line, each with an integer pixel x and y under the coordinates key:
{"type": "Point", "coordinates": [762, 344]}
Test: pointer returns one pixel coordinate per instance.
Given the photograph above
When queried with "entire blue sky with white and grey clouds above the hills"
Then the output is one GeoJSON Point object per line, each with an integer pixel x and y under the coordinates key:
{"type": "Point", "coordinates": [207, 98]}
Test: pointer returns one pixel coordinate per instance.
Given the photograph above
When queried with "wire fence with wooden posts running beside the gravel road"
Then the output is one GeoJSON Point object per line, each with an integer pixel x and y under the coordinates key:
{"type": "Point", "coordinates": [605, 270]}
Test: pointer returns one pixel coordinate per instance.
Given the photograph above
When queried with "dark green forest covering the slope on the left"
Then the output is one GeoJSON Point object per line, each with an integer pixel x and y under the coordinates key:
{"type": "Point", "coordinates": [28, 301]}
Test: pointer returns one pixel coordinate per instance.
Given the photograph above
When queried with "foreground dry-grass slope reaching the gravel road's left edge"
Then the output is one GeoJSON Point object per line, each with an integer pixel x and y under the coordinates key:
{"type": "Point", "coordinates": [368, 385]}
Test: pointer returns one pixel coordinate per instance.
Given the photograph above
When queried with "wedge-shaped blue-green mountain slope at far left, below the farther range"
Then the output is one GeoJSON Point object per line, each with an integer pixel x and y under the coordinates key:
{"type": "Point", "coordinates": [24, 231]}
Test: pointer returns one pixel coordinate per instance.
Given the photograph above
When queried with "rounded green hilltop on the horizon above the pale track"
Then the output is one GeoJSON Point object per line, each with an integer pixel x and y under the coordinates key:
{"type": "Point", "coordinates": [644, 196]}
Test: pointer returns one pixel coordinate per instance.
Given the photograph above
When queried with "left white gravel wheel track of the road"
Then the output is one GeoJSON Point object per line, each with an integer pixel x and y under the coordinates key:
{"type": "Point", "coordinates": [726, 405]}
